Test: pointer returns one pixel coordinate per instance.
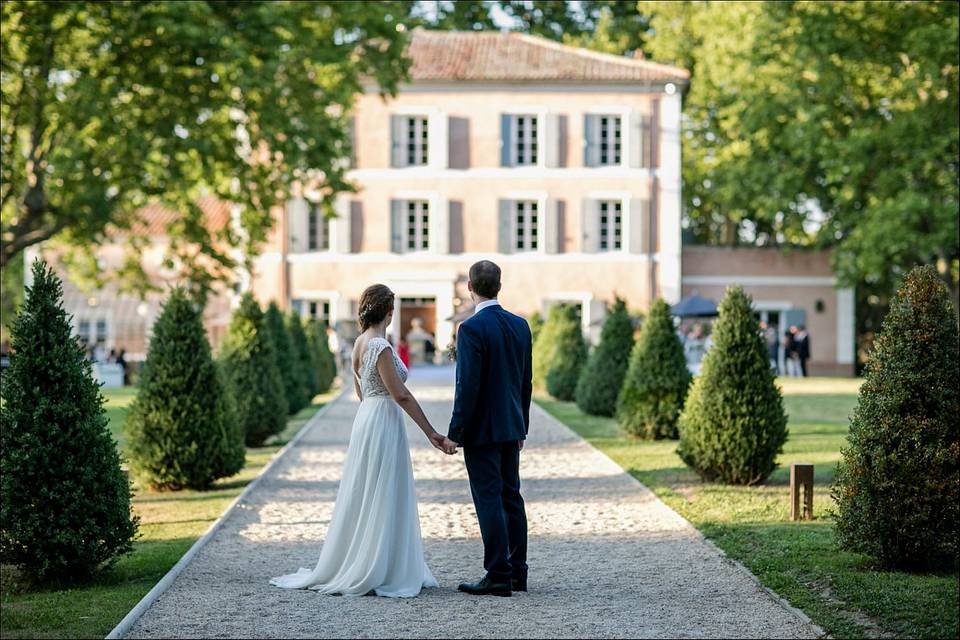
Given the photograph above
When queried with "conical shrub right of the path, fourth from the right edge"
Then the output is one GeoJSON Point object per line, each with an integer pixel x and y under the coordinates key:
{"type": "Point", "coordinates": [602, 377]}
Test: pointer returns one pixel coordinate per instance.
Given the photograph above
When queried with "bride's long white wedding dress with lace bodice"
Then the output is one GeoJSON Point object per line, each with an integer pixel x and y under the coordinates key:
{"type": "Point", "coordinates": [373, 542]}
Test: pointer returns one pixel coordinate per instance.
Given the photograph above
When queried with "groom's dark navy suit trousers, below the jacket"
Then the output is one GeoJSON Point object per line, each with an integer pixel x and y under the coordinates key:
{"type": "Point", "coordinates": [494, 472]}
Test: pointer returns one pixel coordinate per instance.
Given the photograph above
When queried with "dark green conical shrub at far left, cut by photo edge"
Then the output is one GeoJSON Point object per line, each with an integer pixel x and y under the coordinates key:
{"type": "Point", "coordinates": [64, 501]}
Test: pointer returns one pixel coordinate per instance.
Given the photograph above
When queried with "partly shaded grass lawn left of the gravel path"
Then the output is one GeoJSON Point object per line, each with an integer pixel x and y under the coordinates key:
{"type": "Point", "coordinates": [170, 523]}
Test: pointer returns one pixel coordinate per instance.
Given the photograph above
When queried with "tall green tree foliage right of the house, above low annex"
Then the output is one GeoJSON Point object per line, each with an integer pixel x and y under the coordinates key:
{"type": "Point", "coordinates": [831, 124]}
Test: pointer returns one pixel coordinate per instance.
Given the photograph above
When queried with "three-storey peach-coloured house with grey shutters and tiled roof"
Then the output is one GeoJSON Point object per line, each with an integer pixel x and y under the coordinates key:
{"type": "Point", "coordinates": [560, 164]}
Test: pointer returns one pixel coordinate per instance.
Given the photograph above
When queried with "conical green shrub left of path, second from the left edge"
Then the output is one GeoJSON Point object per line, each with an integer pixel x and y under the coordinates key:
{"type": "Point", "coordinates": [182, 427]}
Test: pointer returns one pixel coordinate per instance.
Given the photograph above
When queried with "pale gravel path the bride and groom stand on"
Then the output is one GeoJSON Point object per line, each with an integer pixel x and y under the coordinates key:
{"type": "Point", "coordinates": [607, 558]}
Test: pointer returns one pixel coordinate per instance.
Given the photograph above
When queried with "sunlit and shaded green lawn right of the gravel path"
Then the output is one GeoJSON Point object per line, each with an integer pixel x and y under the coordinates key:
{"type": "Point", "coordinates": [840, 591]}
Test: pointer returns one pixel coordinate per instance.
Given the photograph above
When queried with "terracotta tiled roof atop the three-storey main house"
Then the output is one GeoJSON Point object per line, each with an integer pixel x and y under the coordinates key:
{"type": "Point", "coordinates": [493, 55]}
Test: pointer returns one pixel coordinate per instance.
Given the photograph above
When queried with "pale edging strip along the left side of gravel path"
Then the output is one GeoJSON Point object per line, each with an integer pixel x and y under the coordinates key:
{"type": "Point", "coordinates": [141, 607]}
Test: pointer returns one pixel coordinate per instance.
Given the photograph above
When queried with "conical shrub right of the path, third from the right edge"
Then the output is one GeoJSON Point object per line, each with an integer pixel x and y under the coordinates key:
{"type": "Point", "coordinates": [656, 384]}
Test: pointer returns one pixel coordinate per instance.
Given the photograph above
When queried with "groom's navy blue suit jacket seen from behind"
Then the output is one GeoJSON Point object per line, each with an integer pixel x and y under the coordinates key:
{"type": "Point", "coordinates": [494, 379]}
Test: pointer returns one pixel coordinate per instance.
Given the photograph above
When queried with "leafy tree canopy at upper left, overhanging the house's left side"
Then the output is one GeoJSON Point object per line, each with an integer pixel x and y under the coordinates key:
{"type": "Point", "coordinates": [110, 106]}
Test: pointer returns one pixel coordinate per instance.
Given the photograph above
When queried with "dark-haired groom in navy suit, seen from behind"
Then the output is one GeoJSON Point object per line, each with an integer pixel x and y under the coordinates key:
{"type": "Point", "coordinates": [491, 418]}
